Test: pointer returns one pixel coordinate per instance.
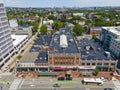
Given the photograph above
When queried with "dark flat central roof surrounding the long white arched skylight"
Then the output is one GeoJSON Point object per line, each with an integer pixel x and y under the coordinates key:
{"type": "Point", "coordinates": [55, 42]}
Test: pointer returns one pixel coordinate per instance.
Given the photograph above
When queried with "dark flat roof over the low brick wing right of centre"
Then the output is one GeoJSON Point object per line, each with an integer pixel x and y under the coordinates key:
{"type": "Point", "coordinates": [91, 50]}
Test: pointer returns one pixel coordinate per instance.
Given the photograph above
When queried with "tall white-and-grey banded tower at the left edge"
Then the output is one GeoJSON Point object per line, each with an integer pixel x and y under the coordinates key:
{"type": "Point", "coordinates": [6, 42]}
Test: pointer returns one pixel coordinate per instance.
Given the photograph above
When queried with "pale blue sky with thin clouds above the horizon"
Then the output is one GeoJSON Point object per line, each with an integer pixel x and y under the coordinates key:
{"type": "Point", "coordinates": [60, 3]}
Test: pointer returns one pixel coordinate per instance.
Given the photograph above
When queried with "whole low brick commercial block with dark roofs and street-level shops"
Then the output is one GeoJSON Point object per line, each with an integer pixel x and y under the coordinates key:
{"type": "Point", "coordinates": [69, 54]}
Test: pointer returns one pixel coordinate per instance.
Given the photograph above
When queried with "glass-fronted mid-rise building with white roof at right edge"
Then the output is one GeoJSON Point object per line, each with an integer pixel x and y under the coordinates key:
{"type": "Point", "coordinates": [110, 37]}
